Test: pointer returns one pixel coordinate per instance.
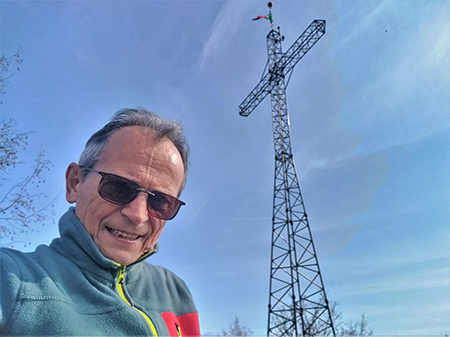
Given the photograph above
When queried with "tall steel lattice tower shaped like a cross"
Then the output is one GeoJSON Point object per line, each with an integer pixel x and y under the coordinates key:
{"type": "Point", "coordinates": [298, 304]}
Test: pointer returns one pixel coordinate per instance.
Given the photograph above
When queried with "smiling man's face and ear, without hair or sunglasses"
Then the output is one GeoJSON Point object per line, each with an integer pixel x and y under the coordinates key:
{"type": "Point", "coordinates": [124, 233]}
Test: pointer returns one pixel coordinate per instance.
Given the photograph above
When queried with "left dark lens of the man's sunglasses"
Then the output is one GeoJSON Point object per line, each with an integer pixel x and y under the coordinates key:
{"type": "Point", "coordinates": [117, 190]}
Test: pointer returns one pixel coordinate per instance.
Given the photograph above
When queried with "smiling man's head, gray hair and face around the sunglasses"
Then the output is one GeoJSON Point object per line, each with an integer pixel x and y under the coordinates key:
{"type": "Point", "coordinates": [145, 149]}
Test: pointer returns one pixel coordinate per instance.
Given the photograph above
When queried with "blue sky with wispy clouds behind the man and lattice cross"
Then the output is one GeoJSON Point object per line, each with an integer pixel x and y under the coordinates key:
{"type": "Point", "coordinates": [369, 112]}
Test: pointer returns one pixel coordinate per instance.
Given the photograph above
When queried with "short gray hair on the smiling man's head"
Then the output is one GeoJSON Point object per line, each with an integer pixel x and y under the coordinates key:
{"type": "Point", "coordinates": [164, 128]}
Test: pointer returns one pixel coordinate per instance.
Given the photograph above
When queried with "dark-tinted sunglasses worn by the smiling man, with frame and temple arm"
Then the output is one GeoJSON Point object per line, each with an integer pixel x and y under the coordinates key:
{"type": "Point", "coordinates": [121, 191]}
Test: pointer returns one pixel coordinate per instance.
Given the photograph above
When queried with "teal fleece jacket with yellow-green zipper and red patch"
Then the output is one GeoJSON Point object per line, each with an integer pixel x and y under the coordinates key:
{"type": "Point", "coordinates": [70, 288]}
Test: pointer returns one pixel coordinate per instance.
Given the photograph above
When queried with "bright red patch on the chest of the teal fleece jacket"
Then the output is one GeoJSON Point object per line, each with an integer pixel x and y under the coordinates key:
{"type": "Point", "coordinates": [184, 325]}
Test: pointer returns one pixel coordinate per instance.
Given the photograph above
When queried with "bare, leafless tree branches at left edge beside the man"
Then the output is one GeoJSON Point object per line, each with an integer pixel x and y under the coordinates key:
{"type": "Point", "coordinates": [20, 203]}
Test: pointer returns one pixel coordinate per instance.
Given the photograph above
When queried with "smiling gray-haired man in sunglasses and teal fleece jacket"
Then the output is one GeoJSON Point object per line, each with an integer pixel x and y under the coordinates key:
{"type": "Point", "coordinates": [93, 280]}
